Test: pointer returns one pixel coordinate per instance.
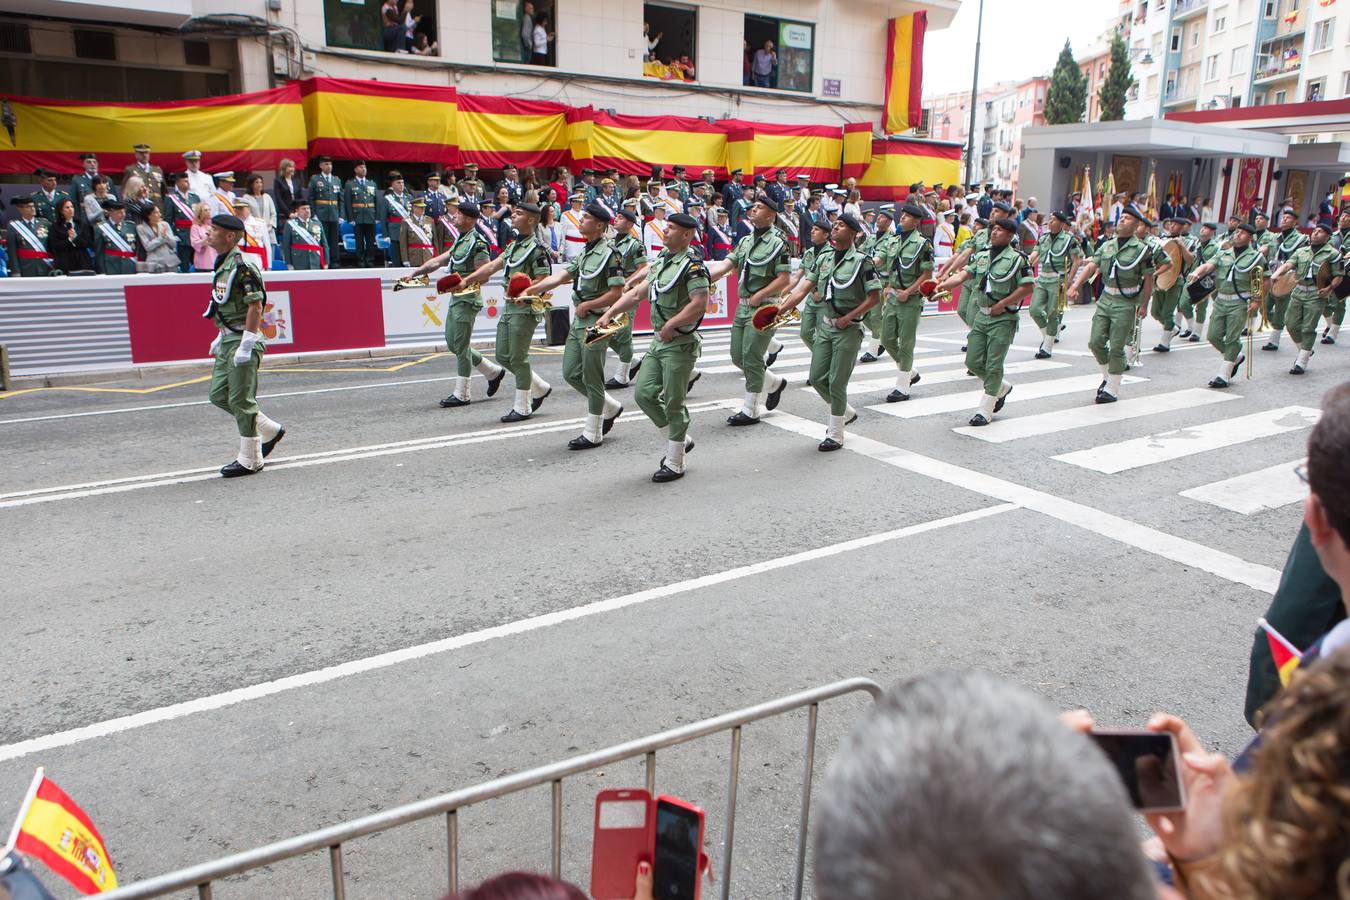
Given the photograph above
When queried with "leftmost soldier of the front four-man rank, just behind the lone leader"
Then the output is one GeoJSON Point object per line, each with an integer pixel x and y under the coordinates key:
{"type": "Point", "coordinates": [465, 257]}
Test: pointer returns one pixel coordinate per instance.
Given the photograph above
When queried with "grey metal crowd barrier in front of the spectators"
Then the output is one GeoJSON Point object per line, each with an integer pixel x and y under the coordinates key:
{"type": "Point", "coordinates": [449, 805]}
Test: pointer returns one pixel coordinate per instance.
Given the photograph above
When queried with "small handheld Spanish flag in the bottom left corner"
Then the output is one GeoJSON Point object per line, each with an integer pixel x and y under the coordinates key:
{"type": "Point", "coordinates": [53, 829]}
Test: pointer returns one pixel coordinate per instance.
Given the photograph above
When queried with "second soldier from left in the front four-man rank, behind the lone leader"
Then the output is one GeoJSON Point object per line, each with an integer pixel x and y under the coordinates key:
{"type": "Point", "coordinates": [518, 323]}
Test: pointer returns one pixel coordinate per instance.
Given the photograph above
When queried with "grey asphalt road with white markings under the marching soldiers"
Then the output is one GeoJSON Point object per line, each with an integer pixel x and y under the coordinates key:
{"type": "Point", "coordinates": [171, 638]}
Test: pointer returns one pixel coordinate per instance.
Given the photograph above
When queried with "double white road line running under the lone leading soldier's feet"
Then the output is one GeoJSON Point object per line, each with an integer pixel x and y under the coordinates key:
{"type": "Point", "coordinates": [304, 461]}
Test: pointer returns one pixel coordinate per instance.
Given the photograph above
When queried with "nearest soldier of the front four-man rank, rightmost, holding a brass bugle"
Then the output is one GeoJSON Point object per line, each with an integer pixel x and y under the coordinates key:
{"type": "Point", "coordinates": [677, 285]}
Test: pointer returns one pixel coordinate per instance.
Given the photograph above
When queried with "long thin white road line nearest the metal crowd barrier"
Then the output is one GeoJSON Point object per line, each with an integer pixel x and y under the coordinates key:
{"type": "Point", "coordinates": [510, 629]}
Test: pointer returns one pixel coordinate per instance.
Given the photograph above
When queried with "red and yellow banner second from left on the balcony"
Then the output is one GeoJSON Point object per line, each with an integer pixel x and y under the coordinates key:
{"type": "Point", "coordinates": [354, 119]}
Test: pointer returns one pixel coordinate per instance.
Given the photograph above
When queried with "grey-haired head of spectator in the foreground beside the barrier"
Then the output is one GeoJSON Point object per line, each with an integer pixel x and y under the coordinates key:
{"type": "Point", "coordinates": [959, 786]}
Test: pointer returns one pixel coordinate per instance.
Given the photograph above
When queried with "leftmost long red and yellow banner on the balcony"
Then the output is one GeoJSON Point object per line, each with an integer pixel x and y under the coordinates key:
{"type": "Point", "coordinates": [246, 132]}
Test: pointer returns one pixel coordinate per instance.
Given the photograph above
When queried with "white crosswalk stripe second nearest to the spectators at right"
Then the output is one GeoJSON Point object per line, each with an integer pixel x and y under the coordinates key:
{"type": "Point", "coordinates": [1187, 442]}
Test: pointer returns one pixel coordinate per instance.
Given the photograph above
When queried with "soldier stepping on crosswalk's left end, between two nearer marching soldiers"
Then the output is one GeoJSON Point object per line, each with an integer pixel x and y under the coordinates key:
{"type": "Point", "coordinates": [907, 262]}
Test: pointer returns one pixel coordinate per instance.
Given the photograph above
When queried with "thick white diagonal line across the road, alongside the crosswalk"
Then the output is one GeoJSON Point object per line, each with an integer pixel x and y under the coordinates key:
{"type": "Point", "coordinates": [1171, 547]}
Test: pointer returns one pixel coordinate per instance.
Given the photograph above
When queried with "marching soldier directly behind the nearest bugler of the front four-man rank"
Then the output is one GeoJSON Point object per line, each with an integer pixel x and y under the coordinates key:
{"type": "Point", "coordinates": [763, 264]}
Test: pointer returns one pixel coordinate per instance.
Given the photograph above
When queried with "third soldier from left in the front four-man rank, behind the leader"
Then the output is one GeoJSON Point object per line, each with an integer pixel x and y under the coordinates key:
{"type": "Point", "coordinates": [597, 283]}
